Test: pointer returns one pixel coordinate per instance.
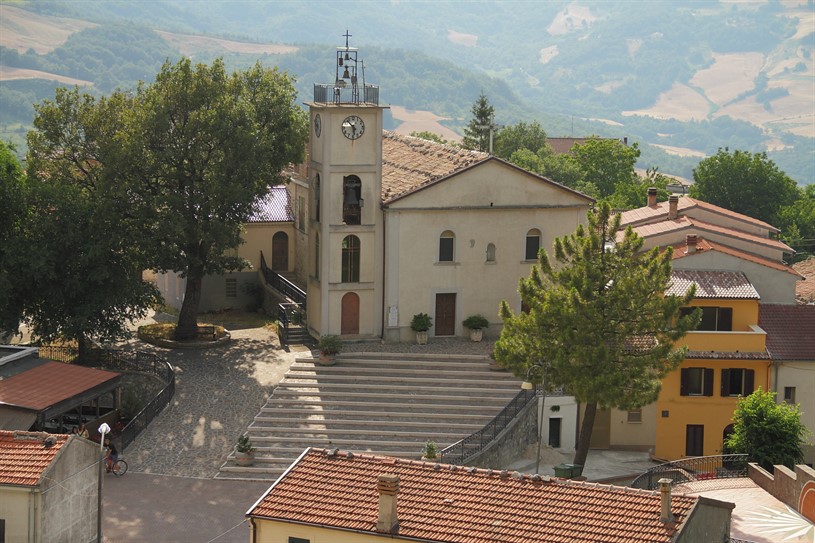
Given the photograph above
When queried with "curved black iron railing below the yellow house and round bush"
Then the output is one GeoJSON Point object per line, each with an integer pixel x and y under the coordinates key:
{"type": "Point", "coordinates": [697, 468]}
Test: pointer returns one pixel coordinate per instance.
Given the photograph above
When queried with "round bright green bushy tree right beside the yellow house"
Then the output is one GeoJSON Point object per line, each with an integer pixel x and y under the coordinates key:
{"type": "Point", "coordinates": [769, 432]}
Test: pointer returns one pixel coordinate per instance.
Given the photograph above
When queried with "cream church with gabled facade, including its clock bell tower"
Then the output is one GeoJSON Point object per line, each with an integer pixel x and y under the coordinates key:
{"type": "Point", "coordinates": [377, 227]}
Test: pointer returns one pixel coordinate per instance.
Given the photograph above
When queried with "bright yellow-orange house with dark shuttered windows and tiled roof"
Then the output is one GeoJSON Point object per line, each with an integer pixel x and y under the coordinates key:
{"type": "Point", "coordinates": [727, 359]}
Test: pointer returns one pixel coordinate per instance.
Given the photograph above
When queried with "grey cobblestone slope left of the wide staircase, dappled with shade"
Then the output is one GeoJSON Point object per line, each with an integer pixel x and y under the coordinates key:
{"type": "Point", "coordinates": [218, 392]}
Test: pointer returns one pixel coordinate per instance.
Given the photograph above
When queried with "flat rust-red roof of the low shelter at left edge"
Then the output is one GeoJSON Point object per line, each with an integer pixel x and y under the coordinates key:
{"type": "Point", "coordinates": [50, 383]}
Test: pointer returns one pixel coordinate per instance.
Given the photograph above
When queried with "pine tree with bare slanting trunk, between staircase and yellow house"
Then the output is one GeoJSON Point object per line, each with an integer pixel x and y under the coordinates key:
{"type": "Point", "coordinates": [598, 320]}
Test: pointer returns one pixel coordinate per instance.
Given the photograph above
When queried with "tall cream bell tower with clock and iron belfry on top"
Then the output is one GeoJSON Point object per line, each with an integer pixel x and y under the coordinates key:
{"type": "Point", "coordinates": [345, 279]}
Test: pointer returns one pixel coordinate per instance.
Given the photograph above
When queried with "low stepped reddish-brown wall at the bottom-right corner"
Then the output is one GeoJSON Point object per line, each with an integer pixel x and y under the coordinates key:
{"type": "Point", "coordinates": [795, 489]}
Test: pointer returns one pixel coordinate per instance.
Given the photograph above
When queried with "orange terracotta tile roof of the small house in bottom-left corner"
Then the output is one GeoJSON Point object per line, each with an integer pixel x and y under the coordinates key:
{"type": "Point", "coordinates": [24, 457]}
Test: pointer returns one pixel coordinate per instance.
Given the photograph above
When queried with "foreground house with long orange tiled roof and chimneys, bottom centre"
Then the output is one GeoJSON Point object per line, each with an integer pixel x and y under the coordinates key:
{"type": "Point", "coordinates": [329, 495]}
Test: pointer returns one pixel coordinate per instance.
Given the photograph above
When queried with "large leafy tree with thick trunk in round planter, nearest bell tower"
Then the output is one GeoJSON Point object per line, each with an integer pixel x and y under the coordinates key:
{"type": "Point", "coordinates": [182, 161]}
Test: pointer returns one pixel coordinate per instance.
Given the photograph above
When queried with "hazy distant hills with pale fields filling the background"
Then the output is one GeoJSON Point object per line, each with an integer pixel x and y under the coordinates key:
{"type": "Point", "coordinates": [681, 78]}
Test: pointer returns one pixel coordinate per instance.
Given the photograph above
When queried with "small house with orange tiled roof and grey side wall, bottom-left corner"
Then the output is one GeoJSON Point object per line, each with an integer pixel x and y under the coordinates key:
{"type": "Point", "coordinates": [48, 487]}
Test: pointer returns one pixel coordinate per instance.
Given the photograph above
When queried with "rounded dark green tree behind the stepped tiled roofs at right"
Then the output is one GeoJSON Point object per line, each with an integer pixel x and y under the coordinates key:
{"type": "Point", "coordinates": [744, 182]}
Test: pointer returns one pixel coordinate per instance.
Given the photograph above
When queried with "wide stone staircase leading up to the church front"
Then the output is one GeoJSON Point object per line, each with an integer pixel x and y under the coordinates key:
{"type": "Point", "coordinates": [376, 403]}
